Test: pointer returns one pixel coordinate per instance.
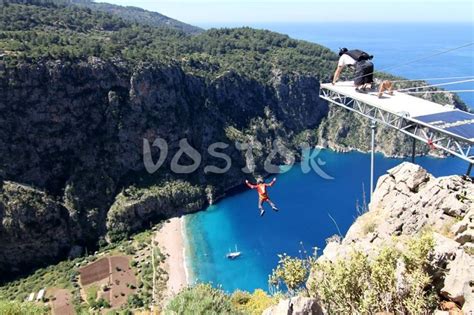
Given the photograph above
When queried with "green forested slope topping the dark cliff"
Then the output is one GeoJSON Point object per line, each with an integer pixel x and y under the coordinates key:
{"type": "Point", "coordinates": [33, 32]}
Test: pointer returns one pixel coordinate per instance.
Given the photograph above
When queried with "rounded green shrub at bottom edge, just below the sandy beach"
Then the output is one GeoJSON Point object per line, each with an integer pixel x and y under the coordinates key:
{"type": "Point", "coordinates": [201, 299]}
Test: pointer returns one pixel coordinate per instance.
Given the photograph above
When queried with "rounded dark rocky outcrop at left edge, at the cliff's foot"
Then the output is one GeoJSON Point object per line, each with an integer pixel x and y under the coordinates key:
{"type": "Point", "coordinates": [34, 228]}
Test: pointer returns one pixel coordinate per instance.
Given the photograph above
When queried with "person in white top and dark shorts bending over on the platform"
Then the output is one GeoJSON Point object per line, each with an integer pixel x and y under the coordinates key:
{"type": "Point", "coordinates": [364, 69]}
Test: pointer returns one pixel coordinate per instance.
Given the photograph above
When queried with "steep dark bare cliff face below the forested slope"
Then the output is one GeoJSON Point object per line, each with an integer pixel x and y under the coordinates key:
{"type": "Point", "coordinates": [76, 132]}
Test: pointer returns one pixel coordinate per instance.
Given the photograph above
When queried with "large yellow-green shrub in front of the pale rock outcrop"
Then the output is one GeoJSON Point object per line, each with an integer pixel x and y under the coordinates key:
{"type": "Point", "coordinates": [393, 281]}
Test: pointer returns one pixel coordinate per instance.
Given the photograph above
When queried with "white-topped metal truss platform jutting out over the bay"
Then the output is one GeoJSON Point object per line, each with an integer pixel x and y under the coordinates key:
{"type": "Point", "coordinates": [441, 127]}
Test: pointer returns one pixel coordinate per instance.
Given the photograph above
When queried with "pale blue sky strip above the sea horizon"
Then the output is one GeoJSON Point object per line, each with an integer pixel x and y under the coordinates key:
{"type": "Point", "coordinates": [265, 11]}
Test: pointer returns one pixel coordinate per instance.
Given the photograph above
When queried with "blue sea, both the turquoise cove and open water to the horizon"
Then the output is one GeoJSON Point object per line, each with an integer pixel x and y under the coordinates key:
{"type": "Point", "coordinates": [307, 201]}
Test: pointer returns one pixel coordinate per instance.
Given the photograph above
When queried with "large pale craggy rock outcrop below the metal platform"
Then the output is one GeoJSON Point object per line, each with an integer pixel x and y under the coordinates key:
{"type": "Point", "coordinates": [407, 201]}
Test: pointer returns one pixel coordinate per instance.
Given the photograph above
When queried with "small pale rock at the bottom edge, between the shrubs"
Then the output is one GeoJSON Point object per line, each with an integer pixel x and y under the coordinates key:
{"type": "Point", "coordinates": [295, 306]}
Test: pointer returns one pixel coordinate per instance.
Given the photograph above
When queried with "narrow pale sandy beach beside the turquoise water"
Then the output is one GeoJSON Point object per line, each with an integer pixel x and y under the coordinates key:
{"type": "Point", "coordinates": [171, 243]}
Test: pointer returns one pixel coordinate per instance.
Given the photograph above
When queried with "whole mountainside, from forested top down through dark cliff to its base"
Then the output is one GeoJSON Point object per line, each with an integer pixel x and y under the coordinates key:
{"type": "Point", "coordinates": [82, 89]}
